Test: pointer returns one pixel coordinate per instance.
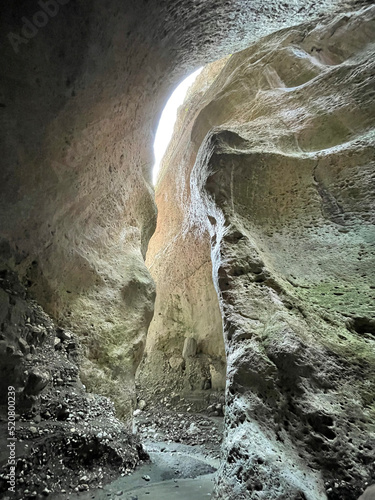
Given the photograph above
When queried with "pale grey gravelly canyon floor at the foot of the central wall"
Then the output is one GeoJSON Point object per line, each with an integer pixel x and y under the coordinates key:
{"type": "Point", "coordinates": [184, 456]}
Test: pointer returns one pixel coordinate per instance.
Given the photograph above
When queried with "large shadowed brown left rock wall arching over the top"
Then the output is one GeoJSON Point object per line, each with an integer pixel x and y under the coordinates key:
{"type": "Point", "coordinates": [81, 89]}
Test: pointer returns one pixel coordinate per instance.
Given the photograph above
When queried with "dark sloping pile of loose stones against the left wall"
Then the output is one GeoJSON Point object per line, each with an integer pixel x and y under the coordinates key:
{"type": "Point", "coordinates": [66, 440]}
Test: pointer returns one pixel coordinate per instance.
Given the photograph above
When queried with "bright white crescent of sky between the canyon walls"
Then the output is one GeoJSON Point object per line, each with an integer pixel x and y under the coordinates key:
{"type": "Point", "coordinates": [168, 120]}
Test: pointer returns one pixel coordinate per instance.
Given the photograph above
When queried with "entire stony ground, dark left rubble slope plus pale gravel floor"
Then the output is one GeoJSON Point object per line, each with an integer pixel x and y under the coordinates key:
{"type": "Point", "coordinates": [70, 445]}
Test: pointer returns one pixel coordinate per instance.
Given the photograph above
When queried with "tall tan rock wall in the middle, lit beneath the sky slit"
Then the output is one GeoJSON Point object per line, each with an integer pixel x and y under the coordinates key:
{"type": "Point", "coordinates": [185, 354]}
